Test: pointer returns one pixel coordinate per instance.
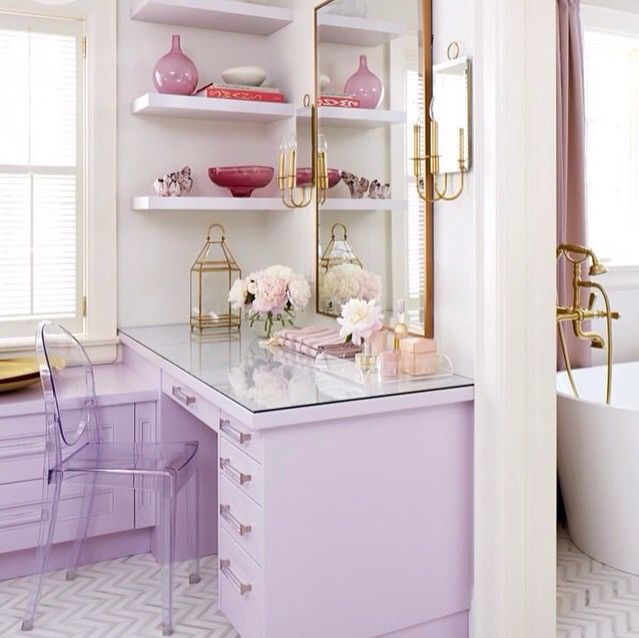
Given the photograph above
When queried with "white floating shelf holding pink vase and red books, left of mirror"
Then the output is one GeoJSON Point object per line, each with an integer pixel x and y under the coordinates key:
{"type": "Point", "coordinates": [210, 108]}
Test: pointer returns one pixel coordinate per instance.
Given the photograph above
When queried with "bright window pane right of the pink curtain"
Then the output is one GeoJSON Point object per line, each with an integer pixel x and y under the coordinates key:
{"type": "Point", "coordinates": [612, 144]}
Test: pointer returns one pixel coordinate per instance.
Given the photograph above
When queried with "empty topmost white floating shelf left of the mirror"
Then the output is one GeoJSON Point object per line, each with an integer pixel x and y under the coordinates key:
{"type": "Point", "coordinates": [221, 15]}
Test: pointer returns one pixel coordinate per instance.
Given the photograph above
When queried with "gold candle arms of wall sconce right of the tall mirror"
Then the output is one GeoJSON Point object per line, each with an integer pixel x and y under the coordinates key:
{"type": "Point", "coordinates": [440, 193]}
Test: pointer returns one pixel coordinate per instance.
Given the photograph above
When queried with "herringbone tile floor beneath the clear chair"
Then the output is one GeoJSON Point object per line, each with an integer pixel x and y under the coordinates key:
{"type": "Point", "coordinates": [116, 599]}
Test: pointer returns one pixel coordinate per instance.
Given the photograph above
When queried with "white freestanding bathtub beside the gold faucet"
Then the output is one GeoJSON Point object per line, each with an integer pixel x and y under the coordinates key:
{"type": "Point", "coordinates": [598, 457]}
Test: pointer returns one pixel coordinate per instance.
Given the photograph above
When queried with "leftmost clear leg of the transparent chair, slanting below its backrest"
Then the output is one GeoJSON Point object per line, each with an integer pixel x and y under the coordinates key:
{"type": "Point", "coordinates": [50, 500]}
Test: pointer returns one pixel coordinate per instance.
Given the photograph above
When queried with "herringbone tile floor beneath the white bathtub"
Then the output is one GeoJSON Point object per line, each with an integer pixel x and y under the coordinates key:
{"type": "Point", "coordinates": [593, 600]}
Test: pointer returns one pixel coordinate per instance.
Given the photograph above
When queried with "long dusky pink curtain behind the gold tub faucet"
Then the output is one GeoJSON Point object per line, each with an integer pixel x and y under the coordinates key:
{"type": "Point", "coordinates": [571, 157]}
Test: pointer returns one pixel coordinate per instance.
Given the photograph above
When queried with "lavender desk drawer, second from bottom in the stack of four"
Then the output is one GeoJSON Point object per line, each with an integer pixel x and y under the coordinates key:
{"type": "Point", "coordinates": [242, 519]}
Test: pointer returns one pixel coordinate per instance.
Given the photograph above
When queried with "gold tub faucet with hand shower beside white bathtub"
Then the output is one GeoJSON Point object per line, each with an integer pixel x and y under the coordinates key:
{"type": "Point", "coordinates": [577, 314]}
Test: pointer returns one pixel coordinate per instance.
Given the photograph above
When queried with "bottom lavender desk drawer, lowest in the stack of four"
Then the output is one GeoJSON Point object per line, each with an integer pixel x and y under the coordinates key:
{"type": "Point", "coordinates": [241, 589]}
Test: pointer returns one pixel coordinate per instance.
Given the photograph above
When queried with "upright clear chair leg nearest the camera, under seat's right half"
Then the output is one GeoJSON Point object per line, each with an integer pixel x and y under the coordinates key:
{"type": "Point", "coordinates": [167, 551]}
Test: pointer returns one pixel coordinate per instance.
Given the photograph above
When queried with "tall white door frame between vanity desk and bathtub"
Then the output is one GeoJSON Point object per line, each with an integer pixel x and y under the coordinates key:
{"type": "Point", "coordinates": [515, 424]}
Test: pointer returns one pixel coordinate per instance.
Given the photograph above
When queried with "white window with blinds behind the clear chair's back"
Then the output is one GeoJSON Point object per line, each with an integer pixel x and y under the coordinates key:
{"type": "Point", "coordinates": [41, 173]}
